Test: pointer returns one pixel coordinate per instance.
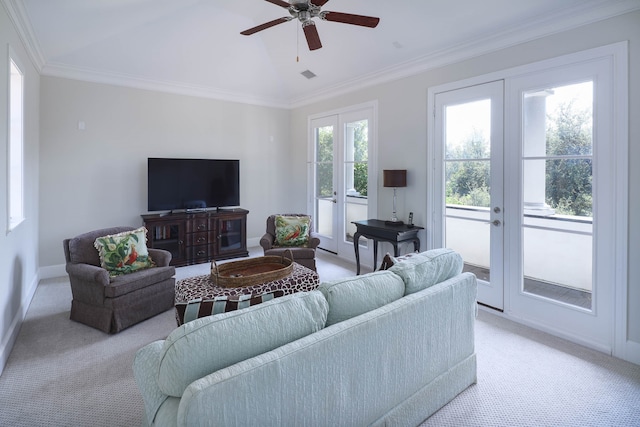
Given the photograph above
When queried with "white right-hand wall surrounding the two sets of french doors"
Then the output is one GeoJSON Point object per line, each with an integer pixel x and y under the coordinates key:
{"type": "Point", "coordinates": [402, 120]}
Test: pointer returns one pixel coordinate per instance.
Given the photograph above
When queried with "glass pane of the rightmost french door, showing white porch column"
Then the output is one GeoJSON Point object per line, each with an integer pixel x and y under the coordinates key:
{"type": "Point", "coordinates": [557, 194]}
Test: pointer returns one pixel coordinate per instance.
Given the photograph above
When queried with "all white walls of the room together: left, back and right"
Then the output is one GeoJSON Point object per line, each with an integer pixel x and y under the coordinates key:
{"type": "Point", "coordinates": [97, 177]}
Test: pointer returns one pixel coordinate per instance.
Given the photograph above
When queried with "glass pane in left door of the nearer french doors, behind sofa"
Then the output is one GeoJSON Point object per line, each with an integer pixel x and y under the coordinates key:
{"type": "Point", "coordinates": [467, 183]}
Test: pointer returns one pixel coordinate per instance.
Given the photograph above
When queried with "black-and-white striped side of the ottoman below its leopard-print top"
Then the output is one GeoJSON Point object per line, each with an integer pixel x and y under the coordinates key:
{"type": "Point", "coordinates": [197, 308]}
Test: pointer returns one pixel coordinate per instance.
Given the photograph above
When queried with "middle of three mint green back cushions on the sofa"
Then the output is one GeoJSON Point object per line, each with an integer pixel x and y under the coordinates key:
{"type": "Point", "coordinates": [356, 295]}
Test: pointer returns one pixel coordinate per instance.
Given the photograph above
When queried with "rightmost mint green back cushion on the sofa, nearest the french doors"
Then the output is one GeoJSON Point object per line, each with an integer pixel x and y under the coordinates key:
{"type": "Point", "coordinates": [420, 271]}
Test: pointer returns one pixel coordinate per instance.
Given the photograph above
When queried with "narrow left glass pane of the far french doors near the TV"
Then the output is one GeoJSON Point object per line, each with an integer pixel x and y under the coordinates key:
{"type": "Point", "coordinates": [324, 180]}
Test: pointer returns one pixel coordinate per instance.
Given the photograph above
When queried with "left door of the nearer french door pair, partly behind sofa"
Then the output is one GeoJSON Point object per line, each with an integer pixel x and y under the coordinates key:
{"type": "Point", "coordinates": [469, 129]}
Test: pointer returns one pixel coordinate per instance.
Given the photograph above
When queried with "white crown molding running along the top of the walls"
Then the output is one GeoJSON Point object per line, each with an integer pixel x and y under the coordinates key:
{"type": "Point", "coordinates": [585, 13]}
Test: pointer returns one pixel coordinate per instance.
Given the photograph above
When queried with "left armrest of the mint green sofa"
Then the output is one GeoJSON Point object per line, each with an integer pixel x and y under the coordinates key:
{"type": "Point", "coordinates": [145, 372]}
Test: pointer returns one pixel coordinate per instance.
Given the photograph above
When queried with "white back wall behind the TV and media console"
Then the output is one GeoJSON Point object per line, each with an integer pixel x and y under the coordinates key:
{"type": "Point", "coordinates": [97, 177]}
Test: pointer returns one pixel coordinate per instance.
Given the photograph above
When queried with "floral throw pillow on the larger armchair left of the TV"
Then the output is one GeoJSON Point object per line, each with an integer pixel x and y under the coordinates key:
{"type": "Point", "coordinates": [124, 252]}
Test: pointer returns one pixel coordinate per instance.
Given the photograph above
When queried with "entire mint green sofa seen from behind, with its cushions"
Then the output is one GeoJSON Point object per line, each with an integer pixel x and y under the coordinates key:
{"type": "Point", "coordinates": [386, 348]}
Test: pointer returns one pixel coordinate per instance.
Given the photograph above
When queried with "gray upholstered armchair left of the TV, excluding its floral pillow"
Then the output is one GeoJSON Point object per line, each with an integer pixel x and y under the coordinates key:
{"type": "Point", "coordinates": [113, 304]}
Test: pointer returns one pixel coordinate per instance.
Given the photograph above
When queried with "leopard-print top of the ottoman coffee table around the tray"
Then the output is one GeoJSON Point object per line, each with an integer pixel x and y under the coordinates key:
{"type": "Point", "coordinates": [301, 279]}
